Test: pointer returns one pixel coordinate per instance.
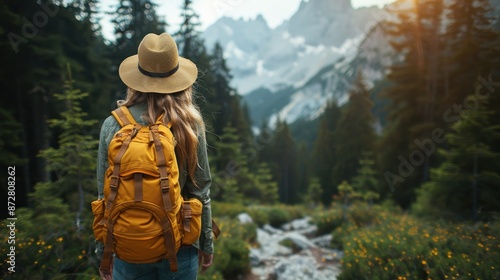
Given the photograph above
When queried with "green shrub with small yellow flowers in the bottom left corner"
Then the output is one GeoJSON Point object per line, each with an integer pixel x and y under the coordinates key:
{"type": "Point", "coordinates": [41, 254]}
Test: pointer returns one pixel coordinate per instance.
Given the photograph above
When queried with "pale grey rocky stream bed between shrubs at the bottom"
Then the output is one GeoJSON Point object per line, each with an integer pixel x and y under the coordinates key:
{"type": "Point", "coordinates": [305, 256]}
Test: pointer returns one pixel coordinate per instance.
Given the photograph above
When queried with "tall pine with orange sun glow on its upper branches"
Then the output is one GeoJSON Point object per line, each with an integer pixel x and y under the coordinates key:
{"type": "Point", "coordinates": [415, 101]}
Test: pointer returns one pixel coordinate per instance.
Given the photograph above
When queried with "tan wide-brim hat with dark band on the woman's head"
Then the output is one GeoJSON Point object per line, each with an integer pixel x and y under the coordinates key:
{"type": "Point", "coordinates": [157, 67]}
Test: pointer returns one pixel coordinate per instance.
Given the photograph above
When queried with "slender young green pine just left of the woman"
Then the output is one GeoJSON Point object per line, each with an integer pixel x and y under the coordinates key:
{"type": "Point", "coordinates": [72, 163]}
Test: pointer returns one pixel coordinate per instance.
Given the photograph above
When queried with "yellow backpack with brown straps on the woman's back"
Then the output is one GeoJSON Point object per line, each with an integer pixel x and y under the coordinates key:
{"type": "Point", "coordinates": [143, 217]}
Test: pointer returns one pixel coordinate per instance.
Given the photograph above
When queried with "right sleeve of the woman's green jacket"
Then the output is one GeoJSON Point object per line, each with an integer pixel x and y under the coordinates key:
{"type": "Point", "coordinates": [202, 192]}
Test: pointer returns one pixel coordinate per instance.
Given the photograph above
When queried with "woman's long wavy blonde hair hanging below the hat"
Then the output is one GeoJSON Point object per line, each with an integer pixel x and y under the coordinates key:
{"type": "Point", "coordinates": [184, 116]}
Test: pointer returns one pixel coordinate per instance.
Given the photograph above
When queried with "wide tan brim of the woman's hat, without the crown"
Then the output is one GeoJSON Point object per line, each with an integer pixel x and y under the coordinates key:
{"type": "Point", "coordinates": [182, 79]}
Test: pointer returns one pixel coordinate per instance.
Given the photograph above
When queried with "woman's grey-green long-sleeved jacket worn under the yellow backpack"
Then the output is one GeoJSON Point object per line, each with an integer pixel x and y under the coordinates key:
{"type": "Point", "coordinates": [202, 174]}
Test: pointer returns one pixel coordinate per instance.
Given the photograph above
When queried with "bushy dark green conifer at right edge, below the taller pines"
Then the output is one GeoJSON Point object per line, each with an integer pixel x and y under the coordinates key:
{"type": "Point", "coordinates": [466, 183]}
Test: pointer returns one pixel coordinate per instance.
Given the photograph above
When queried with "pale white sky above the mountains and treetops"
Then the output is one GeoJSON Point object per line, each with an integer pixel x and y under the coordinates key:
{"type": "Point", "coordinates": [273, 11]}
